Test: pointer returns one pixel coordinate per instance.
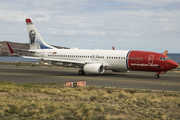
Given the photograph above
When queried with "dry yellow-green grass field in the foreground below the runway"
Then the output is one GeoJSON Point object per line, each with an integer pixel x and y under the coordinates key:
{"type": "Point", "coordinates": [52, 101]}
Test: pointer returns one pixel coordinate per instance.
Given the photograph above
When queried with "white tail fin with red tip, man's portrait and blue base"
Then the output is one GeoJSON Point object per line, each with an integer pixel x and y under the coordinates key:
{"type": "Point", "coordinates": [35, 39]}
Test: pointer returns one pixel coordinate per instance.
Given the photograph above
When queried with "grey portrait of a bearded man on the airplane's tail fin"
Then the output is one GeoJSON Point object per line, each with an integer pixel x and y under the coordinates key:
{"type": "Point", "coordinates": [32, 37]}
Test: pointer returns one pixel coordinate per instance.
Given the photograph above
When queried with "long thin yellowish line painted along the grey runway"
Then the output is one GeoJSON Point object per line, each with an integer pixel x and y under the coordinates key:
{"type": "Point", "coordinates": [15, 74]}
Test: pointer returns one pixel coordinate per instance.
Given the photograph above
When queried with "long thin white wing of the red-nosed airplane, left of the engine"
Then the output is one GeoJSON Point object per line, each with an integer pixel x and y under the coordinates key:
{"type": "Point", "coordinates": [55, 60]}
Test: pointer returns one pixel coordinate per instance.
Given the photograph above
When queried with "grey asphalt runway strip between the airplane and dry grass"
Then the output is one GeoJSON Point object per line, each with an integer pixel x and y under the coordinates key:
{"type": "Point", "coordinates": [138, 80]}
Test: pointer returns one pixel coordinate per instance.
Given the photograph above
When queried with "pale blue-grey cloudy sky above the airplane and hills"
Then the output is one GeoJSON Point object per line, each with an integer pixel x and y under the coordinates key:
{"type": "Point", "coordinates": [148, 25]}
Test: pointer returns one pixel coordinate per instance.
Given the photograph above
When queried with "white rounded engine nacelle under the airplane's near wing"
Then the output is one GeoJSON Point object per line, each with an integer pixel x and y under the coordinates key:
{"type": "Point", "coordinates": [95, 68]}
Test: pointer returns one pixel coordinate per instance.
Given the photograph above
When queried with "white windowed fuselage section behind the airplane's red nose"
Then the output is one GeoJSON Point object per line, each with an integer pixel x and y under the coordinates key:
{"type": "Point", "coordinates": [114, 59]}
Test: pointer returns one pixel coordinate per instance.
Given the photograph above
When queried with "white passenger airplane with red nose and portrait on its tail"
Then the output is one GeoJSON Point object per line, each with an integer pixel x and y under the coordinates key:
{"type": "Point", "coordinates": [97, 61]}
